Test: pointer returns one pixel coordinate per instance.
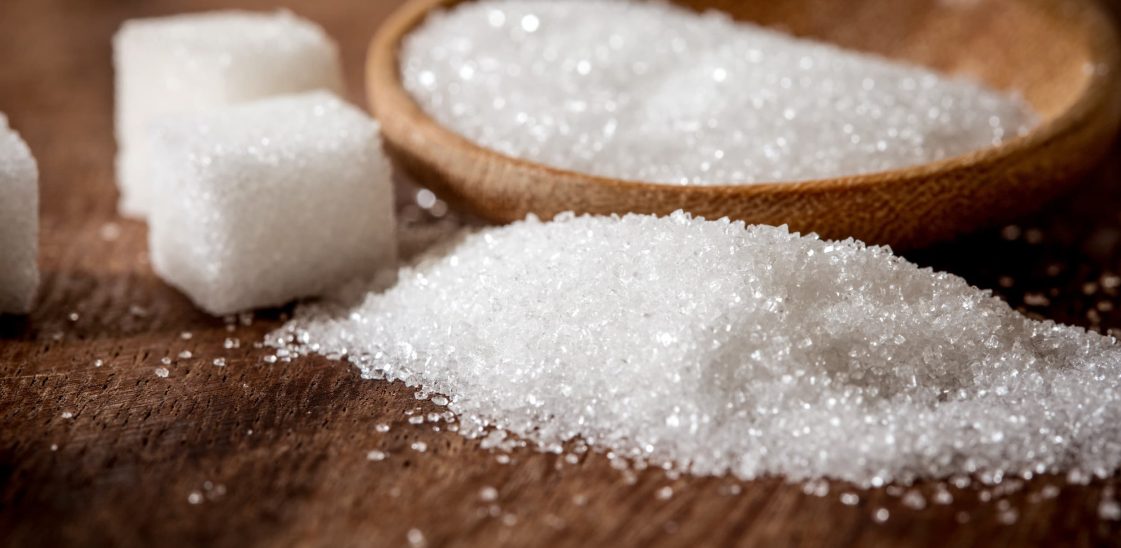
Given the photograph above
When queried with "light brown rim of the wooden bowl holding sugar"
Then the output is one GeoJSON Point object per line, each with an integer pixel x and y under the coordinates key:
{"type": "Point", "coordinates": [385, 88]}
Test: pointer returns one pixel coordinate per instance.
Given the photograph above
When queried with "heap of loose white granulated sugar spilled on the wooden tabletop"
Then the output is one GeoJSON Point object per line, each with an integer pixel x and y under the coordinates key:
{"type": "Point", "coordinates": [712, 348]}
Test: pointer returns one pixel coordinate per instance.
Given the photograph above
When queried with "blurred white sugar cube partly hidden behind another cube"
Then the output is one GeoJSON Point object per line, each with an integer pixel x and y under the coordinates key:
{"type": "Point", "coordinates": [201, 61]}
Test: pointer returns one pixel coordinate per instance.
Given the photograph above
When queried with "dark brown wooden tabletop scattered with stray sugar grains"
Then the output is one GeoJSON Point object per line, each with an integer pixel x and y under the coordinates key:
{"type": "Point", "coordinates": [279, 452]}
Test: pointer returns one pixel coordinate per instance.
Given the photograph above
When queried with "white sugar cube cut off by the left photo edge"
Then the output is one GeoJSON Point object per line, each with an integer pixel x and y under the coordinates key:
{"type": "Point", "coordinates": [20, 224]}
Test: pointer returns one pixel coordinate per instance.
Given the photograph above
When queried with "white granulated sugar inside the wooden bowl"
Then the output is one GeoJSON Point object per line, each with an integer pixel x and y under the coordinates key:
{"type": "Point", "coordinates": [653, 92]}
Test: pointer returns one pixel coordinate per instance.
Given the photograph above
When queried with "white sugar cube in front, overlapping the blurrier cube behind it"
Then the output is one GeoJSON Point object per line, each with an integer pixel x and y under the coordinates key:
{"type": "Point", "coordinates": [262, 203]}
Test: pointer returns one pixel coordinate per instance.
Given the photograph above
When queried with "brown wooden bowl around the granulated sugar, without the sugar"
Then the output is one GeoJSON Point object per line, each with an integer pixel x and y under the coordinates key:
{"type": "Point", "coordinates": [1062, 55]}
